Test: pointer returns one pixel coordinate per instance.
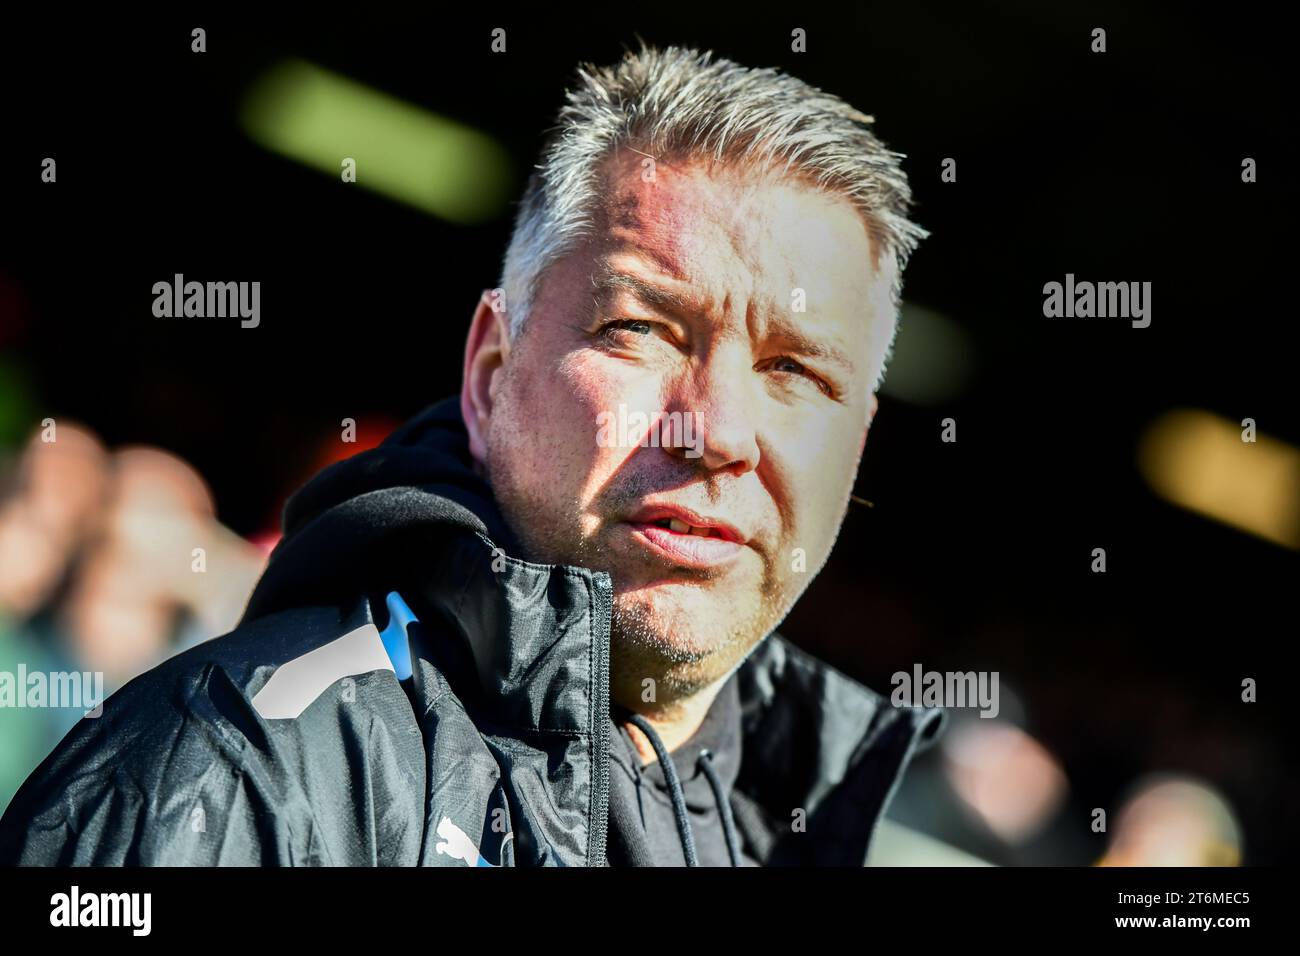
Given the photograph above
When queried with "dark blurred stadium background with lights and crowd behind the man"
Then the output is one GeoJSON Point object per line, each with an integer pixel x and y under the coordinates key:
{"type": "Point", "coordinates": [1120, 691]}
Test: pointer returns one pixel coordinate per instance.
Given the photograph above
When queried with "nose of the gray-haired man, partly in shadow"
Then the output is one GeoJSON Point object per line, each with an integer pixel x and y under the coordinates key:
{"type": "Point", "coordinates": [720, 409]}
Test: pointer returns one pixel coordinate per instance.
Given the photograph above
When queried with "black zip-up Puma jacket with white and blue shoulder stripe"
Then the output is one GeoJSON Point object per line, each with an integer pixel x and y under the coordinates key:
{"type": "Point", "coordinates": [401, 691]}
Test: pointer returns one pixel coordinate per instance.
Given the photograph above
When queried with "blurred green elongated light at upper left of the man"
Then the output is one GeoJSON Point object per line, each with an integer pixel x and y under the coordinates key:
{"type": "Point", "coordinates": [409, 154]}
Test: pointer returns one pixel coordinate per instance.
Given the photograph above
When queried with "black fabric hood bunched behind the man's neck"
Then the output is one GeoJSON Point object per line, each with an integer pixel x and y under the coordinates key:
{"type": "Point", "coordinates": [358, 521]}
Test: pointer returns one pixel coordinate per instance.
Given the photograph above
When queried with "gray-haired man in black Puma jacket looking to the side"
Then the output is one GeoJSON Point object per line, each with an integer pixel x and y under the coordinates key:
{"type": "Point", "coordinates": [535, 628]}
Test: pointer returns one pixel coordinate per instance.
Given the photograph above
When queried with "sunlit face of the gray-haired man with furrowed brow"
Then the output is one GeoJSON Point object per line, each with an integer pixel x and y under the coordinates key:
{"type": "Point", "coordinates": [688, 301]}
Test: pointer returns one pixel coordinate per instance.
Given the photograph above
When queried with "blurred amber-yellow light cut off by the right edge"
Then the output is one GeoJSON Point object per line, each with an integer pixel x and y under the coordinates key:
{"type": "Point", "coordinates": [1199, 462]}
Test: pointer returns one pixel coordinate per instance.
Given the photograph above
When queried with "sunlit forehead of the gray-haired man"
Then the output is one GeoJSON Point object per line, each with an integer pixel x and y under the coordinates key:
{"type": "Point", "coordinates": [738, 232]}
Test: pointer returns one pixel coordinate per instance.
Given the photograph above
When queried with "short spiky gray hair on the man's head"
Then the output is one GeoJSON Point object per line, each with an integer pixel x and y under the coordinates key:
{"type": "Point", "coordinates": [686, 103]}
